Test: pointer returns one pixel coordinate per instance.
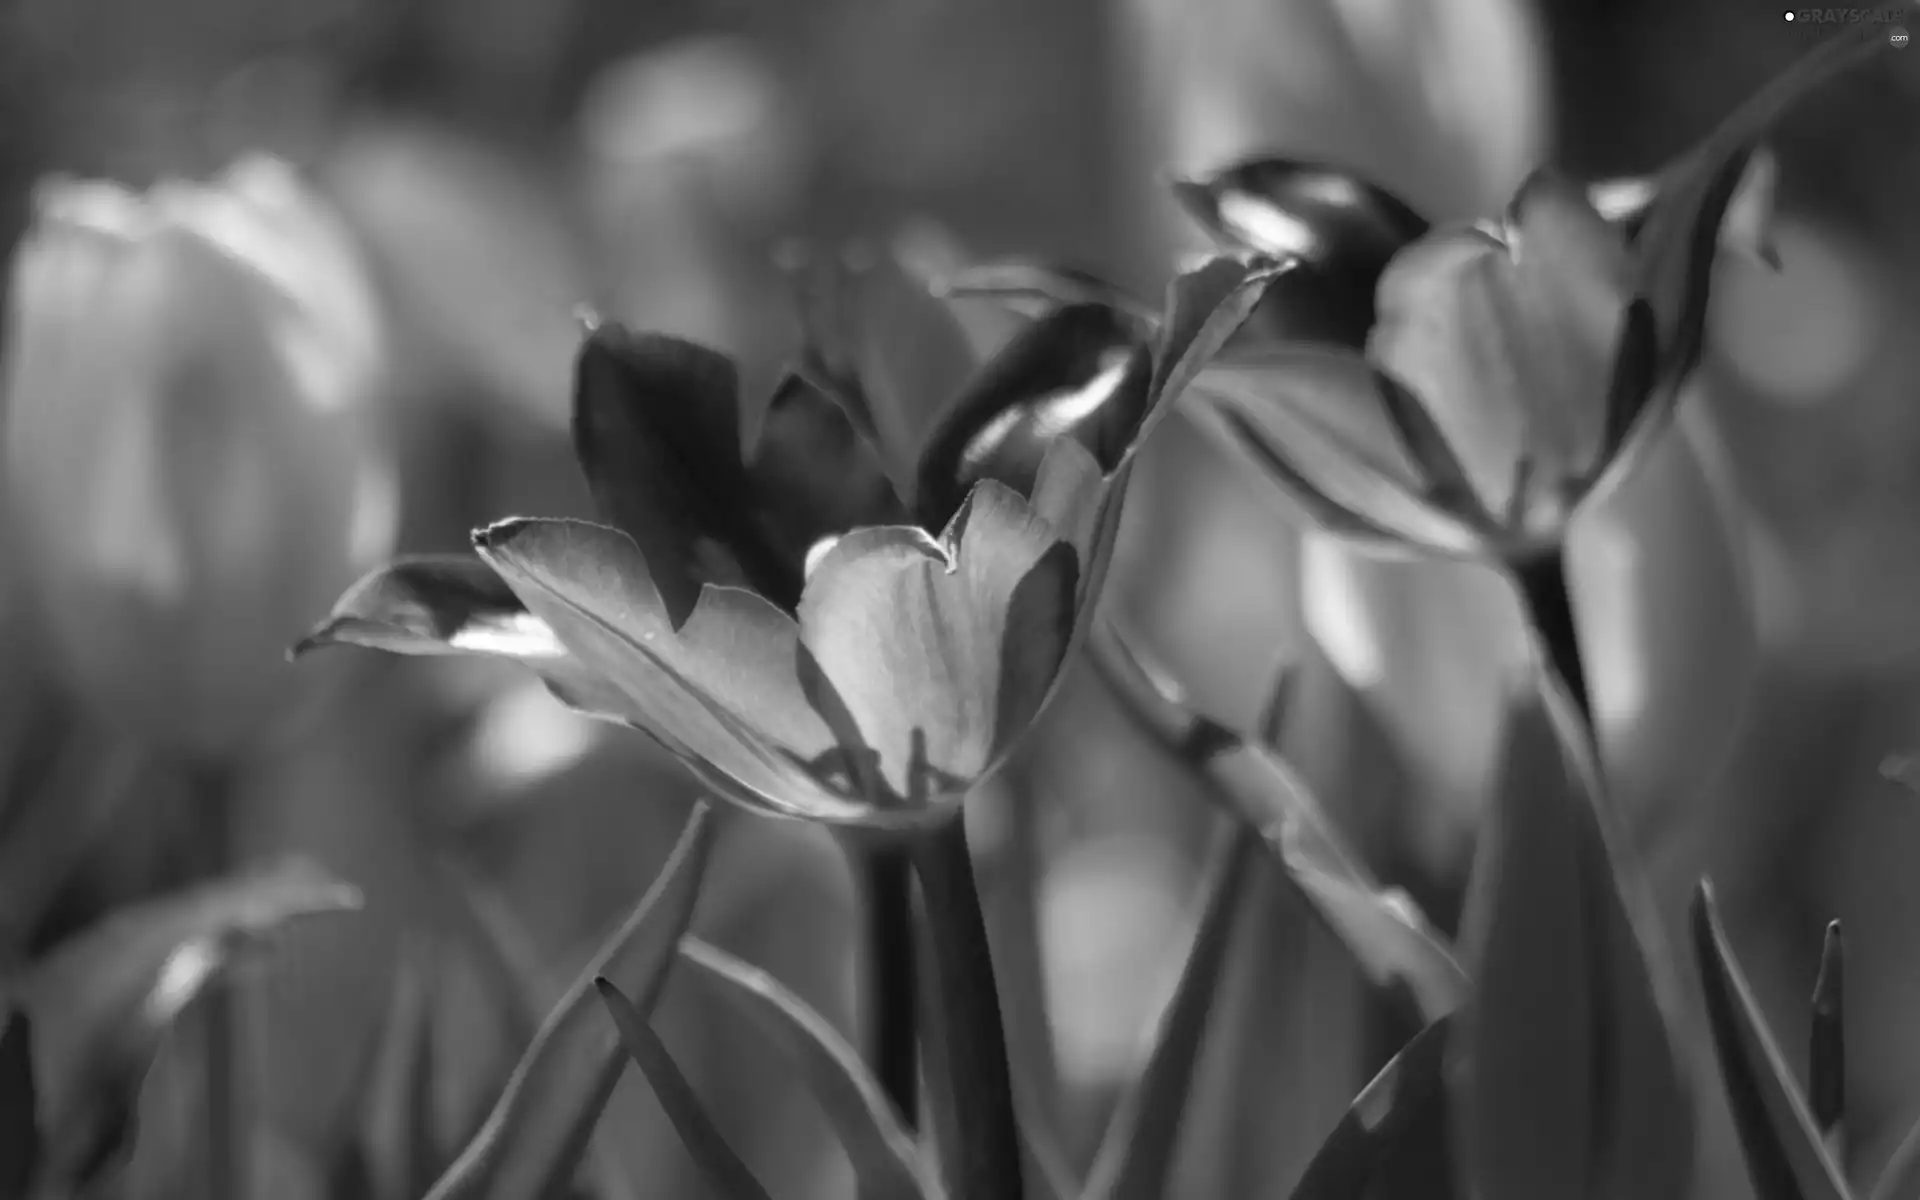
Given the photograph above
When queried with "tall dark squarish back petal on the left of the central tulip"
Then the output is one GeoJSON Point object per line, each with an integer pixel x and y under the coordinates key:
{"type": "Point", "coordinates": [660, 441]}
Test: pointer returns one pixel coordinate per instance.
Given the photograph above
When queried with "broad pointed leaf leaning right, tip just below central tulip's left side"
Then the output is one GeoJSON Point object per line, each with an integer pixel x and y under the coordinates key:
{"type": "Point", "coordinates": [544, 1120]}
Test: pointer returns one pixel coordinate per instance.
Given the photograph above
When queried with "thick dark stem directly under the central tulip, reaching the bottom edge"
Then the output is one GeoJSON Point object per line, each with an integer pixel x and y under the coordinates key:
{"type": "Point", "coordinates": [986, 1163]}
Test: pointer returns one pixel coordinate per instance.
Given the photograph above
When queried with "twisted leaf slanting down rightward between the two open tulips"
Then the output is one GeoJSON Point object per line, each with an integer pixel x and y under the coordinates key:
{"type": "Point", "coordinates": [1385, 932]}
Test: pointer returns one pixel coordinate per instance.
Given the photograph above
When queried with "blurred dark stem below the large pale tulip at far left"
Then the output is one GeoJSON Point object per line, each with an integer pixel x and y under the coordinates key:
{"type": "Point", "coordinates": [228, 1145]}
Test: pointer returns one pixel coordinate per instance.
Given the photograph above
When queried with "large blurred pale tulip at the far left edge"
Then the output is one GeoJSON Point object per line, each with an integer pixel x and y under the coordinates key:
{"type": "Point", "coordinates": [193, 460]}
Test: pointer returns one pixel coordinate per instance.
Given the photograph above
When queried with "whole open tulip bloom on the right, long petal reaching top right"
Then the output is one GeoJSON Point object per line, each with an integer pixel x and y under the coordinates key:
{"type": "Point", "coordinates": [1462, 391]}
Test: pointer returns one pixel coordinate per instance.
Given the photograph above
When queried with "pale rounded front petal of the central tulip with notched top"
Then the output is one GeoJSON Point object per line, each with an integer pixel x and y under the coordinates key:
{"type": "Point", "coordinates": [946, 648]}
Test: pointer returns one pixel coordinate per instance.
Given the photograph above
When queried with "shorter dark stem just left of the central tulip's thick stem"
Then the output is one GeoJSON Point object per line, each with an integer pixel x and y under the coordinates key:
{"type": "Point", "coordinates": [890, 990]}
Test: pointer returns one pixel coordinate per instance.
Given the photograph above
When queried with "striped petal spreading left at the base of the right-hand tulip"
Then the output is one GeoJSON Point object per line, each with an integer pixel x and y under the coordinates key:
{"type": "Point", "coordinates": [1318, 425]}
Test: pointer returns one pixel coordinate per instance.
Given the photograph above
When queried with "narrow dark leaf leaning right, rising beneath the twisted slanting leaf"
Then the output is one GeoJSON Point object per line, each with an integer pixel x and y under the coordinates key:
{"type": "Point", "coordinates": [1141, 1141]}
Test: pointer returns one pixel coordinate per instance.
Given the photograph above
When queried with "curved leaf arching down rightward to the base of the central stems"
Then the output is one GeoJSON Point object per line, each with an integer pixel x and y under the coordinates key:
{"type": "Point", "coordinates": [878, 1145]}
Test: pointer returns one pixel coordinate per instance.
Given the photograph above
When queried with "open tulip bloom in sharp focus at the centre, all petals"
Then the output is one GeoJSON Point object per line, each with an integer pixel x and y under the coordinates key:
{"type": "Point", "coordinates": [794, 636]}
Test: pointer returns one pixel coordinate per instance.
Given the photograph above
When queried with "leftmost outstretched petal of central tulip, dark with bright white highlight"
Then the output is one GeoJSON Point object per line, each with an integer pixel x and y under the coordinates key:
{"type": "Point", "coordinates": [460, 606]}
